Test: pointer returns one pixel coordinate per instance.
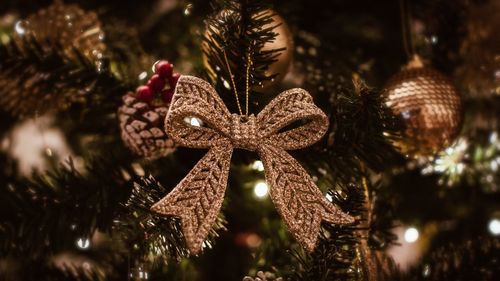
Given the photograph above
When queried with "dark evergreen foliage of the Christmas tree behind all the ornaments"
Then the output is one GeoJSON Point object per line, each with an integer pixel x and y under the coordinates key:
{"type": "Point", "coordinates": [42, 216]}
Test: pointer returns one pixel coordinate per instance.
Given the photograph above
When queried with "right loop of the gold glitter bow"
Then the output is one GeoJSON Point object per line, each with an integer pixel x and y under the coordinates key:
{"type": "Point", "coordinates": [292, 107]}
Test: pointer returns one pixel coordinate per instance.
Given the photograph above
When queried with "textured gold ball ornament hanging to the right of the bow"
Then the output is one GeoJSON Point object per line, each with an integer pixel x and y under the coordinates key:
{"type": "Point", "coordinates": [429, 106]}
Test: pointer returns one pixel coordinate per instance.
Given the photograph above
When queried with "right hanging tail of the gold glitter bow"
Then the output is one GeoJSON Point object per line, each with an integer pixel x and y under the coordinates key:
{"type": "Point", "coordinates": [300, 203]}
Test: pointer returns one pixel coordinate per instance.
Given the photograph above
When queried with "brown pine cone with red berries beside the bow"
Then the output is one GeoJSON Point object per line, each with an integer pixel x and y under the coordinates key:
{"type": "Point", "coordinates": [143, 114]}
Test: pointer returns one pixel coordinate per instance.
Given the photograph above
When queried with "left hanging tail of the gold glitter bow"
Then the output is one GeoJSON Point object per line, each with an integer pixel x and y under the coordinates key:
{"type": "Point", "coordinates": [197, 199]}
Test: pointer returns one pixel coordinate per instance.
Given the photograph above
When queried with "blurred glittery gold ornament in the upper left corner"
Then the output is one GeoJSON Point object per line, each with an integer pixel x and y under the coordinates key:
{"type": "Point", "coordinates": [67, 26]}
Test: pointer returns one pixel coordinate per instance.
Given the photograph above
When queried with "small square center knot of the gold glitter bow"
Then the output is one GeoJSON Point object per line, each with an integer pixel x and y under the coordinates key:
{"type": "Point", "coordinates": [244, 132]}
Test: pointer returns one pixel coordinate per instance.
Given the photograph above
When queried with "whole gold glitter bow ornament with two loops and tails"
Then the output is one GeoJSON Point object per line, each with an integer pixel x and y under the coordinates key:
{"type": "Point", "coordinates": [197, 199]}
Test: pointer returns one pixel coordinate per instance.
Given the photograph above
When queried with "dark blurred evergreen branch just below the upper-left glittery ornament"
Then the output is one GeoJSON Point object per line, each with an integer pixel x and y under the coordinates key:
{"type": "Point", "coordinates": [36, 79]}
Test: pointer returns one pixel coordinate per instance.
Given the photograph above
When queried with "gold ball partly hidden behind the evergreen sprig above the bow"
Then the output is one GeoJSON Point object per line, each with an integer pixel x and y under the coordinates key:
{"type": "Point", "coordinates": [283, 40]}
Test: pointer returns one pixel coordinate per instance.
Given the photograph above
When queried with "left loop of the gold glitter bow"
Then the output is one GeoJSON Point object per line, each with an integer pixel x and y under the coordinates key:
{"type": "Point", "coordinates": [195, 97]}
